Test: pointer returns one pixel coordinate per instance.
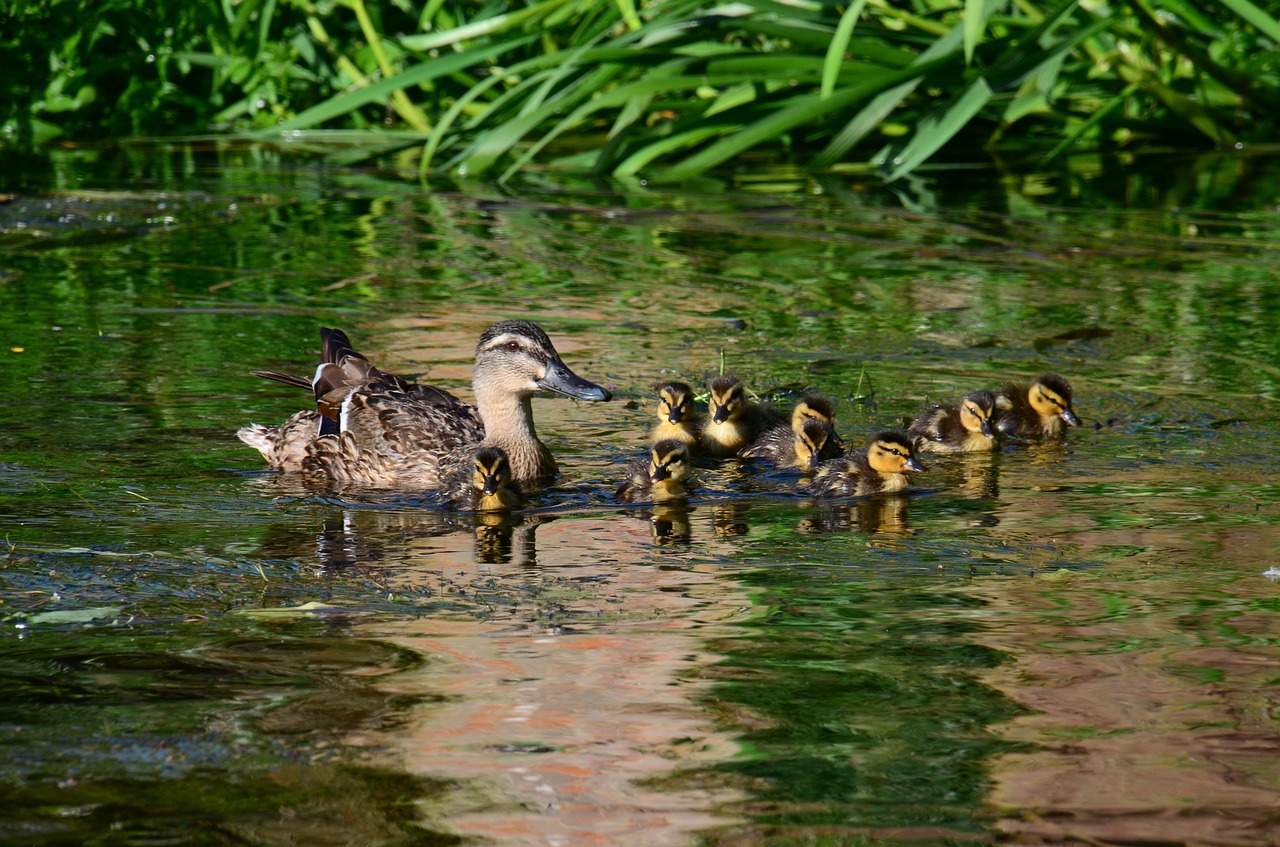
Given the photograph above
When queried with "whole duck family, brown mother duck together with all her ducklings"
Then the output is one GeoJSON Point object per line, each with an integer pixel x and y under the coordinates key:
{"type": "Point", "coordinates": [373, 429]}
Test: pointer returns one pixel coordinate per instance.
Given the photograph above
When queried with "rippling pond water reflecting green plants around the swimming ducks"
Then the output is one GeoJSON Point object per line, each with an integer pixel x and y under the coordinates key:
{"type": "Point", "coordinates": [1064, 642]}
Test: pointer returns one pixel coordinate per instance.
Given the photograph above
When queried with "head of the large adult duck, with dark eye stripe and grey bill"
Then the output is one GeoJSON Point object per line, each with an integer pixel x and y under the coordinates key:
{"type": "Point", "coordinates": [518, 358]}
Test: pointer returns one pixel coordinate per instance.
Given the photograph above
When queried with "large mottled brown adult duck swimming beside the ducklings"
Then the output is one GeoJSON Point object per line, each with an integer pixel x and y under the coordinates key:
{"type": "Point", "coordinates": [392, 433]}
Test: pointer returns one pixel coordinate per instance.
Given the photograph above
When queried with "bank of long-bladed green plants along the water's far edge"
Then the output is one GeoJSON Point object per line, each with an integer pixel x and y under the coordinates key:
{"type": "Point", "coordinates": [656, 89]}
